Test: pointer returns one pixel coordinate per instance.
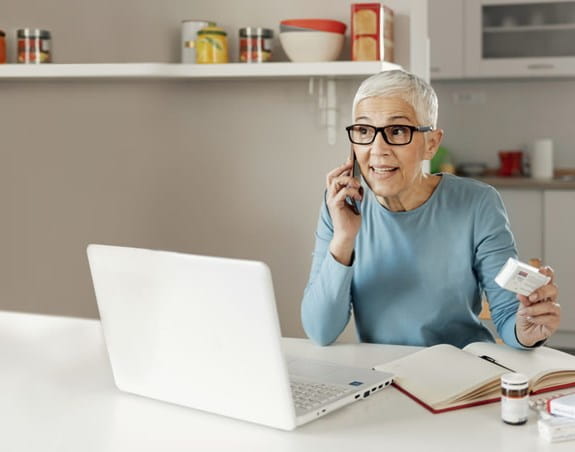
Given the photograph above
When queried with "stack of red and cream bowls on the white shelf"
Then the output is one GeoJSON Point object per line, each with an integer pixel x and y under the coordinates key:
{"type": "Point", "coordinates": [306, 40]}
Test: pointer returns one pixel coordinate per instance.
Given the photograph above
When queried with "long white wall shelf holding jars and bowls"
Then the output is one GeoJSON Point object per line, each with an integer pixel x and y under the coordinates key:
{"type": "Point", "coordinates": [336, 69]}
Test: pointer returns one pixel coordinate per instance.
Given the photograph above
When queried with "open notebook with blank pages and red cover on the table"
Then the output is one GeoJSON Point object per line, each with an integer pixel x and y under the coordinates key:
{"type": "Point", "coordinates": [444, 377]}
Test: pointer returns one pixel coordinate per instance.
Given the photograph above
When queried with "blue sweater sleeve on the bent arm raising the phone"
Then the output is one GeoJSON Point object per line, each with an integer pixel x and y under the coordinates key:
{"type": "Point", "coordinates": [326, 304]}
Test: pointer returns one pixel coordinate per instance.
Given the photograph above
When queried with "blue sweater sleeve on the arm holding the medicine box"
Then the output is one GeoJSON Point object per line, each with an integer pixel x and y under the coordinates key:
{"type": "Point", "coordinates": [494, 244]}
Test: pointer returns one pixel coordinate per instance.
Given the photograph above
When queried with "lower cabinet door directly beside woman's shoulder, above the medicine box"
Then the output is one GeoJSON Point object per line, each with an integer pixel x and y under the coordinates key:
{"type": "Point", "coordinates": [525, 211]}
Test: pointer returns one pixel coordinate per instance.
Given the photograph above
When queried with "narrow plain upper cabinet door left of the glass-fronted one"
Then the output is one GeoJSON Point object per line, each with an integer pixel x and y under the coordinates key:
{"type": "Point", "coordinates": [446, 39]}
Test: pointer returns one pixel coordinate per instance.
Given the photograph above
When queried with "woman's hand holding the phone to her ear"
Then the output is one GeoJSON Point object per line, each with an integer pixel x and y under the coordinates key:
{"type": "Point", "coordinates": [346, 224]}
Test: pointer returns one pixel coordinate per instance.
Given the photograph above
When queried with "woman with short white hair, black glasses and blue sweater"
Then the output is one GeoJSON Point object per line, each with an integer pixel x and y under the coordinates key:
{"type": "Point", "coordinates": [412, 266]}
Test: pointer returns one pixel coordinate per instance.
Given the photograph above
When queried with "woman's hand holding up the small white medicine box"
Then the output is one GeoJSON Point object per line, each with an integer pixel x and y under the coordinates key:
{"type": "Point", "coordinates": [539, 314]}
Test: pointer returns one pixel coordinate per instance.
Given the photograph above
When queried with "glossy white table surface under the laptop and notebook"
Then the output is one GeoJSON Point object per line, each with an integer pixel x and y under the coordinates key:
{"type": "Point", "coordinates": [57, 394]}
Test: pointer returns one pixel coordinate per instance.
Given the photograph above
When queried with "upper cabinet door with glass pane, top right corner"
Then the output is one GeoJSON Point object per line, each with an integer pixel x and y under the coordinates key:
{"type": "Point", "coordinates": [519, 38]}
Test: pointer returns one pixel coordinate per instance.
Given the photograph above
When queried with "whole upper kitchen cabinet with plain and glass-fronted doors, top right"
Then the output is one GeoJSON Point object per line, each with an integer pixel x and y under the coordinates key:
{"type": "Point", "coordinates": [502, 38]}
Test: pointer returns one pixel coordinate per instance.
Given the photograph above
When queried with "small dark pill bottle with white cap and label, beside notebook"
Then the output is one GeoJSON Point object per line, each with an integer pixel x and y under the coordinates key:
{"type": "Point", "coordinates": [514, 398]}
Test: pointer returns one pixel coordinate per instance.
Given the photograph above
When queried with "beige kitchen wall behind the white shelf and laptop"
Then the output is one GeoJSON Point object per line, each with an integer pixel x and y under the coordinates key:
{"type": "Point", "coordinates": [232, 168]}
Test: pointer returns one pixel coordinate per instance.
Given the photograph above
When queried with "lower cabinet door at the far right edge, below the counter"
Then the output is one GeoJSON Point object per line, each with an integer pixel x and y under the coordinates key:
{"type": "Point", "coordinates": [560, 249]}
